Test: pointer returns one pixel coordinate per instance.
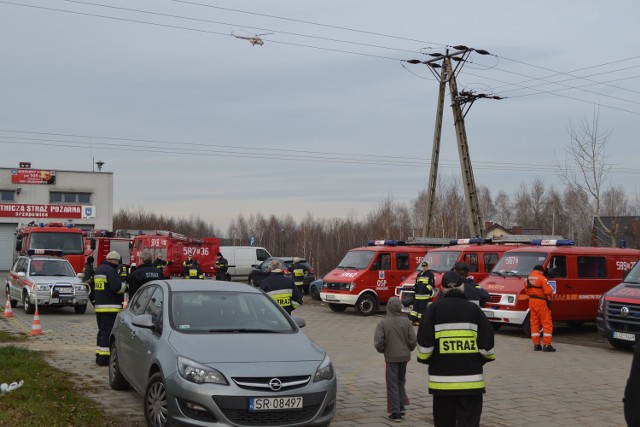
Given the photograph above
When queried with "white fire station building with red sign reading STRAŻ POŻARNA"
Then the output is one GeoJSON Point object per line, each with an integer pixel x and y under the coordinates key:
{"type": "Point", "coordinates": [43, 195]}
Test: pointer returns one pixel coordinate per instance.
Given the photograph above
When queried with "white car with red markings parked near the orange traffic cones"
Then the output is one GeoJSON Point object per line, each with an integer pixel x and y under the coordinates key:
{"type": "Point", "coordinates": [51, 278]}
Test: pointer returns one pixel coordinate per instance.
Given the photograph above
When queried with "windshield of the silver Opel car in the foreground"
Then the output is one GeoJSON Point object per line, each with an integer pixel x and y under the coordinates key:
{"type": "Point", "coordinates": [227, 312]}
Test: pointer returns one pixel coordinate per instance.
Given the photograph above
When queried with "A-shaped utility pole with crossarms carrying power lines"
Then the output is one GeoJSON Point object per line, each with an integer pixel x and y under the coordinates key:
{"type": "Point", "coordinates": [448, 74]}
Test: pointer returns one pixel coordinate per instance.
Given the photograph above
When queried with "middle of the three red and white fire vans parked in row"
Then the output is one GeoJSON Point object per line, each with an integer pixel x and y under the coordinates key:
{"type": "Point", "coordinates": [481, 255]}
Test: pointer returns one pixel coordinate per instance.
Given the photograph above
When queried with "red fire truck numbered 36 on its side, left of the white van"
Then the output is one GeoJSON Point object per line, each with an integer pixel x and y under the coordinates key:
{"type": "Point", "coordinates": [175, 249]}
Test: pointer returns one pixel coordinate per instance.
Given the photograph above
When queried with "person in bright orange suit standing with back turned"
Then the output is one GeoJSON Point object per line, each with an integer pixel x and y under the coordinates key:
{"type": "Point", "coordinates": [539, 292]}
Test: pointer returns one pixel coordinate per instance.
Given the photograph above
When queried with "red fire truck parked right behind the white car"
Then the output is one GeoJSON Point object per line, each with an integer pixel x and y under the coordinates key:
{"type": "Point", "coordinates": [53, 236]}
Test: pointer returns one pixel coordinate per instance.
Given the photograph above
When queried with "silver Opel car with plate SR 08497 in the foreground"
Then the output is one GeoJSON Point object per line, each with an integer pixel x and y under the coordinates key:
{"type": "Point", "coordinates": [209, 353]}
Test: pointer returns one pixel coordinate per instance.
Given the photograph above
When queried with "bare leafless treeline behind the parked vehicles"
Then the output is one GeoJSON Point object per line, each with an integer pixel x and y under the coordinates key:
{"type": "Point", "coordinates": [324, 241]}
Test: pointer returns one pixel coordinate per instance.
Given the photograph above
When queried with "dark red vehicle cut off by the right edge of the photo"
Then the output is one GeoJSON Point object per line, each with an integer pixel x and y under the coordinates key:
{"type": "Point", "coordinates": [619, 311]}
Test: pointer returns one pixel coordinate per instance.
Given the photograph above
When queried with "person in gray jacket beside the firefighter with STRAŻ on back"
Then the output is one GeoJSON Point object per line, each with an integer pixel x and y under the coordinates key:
{"type": "Point", "coordinates": [396, 338]}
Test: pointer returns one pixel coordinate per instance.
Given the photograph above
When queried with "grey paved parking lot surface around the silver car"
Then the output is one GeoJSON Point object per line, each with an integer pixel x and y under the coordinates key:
{"type": "Point", "coordinates": [577, 386]}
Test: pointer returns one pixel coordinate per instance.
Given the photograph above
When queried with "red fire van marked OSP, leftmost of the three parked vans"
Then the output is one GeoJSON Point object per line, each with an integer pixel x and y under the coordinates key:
{"type": "Point", "coordinates": [368, 276]}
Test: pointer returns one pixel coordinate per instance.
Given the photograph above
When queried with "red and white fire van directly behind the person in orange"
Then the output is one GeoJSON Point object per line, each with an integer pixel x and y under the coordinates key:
{"type": "Point", "coordinates": [579, 276]}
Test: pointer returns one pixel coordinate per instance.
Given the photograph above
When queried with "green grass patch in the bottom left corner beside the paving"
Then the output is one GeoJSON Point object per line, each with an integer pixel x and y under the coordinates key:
{"type": "Point", "coordinates": [47, 397]}
